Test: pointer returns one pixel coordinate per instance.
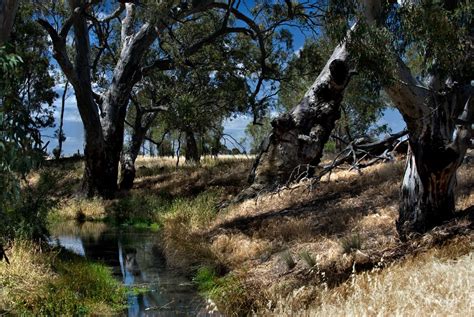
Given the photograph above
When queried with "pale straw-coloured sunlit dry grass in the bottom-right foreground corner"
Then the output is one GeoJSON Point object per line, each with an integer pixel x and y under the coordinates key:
{"type": "Point", "coordinates": [439, 282]}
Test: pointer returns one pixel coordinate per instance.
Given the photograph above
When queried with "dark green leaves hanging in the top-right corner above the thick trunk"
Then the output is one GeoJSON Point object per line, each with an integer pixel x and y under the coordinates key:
{"type": "Point", "coordinates": [440, 34]}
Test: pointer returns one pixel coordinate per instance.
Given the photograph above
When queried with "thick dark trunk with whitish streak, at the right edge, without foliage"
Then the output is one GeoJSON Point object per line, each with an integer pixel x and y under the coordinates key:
{"type": "Point", "coordinates": [438, 142]}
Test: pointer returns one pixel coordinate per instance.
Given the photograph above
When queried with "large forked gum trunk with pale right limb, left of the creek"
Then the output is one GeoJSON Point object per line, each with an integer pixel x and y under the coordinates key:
{"type": "Point", "coordinates": [103, 116]}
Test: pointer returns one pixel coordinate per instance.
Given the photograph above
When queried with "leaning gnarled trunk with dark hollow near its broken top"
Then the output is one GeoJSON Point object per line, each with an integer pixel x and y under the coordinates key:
{"type": "Point", "coordinates": [297, 139]}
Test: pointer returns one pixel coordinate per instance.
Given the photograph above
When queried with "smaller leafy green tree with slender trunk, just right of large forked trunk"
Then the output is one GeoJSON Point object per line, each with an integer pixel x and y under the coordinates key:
{"type": "Point", "coordinates": [193, 101]}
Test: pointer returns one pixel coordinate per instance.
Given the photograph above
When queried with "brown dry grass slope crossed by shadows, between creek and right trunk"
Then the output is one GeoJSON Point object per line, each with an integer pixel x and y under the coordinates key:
{"type": "Point", "coordinates": [249, 238]}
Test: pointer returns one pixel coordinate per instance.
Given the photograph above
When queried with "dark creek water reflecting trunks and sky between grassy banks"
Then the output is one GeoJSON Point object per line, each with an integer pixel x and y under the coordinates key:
{"type": "Point", "coordinates": [135, 260]}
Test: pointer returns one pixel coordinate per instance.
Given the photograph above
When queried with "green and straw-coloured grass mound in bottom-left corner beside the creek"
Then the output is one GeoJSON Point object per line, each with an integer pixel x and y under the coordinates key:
{"type": "Point", "coordinates": [50, 283]}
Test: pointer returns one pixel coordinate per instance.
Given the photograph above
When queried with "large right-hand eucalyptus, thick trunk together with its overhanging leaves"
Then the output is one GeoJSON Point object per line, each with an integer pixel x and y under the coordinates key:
{"type": "Point", "coordinates": [436, 103]}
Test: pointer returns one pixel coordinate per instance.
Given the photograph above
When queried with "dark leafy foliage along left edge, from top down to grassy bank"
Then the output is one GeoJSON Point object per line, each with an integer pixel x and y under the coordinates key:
{"type": "Point", "coordinates": [26, 97]}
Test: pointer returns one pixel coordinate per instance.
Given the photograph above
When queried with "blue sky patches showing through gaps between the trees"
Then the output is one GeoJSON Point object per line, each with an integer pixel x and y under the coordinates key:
{"type": "Point", "coordinates": [235, 127]}
